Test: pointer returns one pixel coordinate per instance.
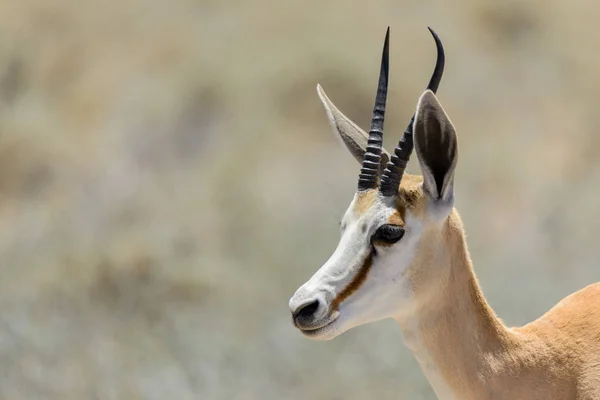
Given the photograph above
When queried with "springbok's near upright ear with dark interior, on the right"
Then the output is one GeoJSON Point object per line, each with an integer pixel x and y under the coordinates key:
{"type": "Point", "coordinates": [437, 148]}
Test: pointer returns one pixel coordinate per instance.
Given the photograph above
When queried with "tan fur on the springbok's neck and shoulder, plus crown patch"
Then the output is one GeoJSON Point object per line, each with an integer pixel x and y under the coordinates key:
{"type": "Point", "coordinates": [555, 357]}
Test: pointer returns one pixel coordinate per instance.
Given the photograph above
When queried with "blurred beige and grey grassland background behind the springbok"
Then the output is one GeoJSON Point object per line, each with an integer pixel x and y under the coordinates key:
{"type": "Point", "coordinates": [168, 179]}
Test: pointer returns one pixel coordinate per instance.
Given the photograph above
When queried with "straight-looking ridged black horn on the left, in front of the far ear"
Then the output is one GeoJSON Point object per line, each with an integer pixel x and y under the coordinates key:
{"type": "Point", "coordinates": [369, 172]}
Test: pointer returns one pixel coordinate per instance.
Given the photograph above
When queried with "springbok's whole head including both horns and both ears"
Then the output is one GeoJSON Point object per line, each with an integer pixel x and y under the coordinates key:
{"type": "Point", "coordinates": [393, 232]}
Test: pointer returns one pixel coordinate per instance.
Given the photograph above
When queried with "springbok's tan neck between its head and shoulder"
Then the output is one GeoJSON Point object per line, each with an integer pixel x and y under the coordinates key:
{"type": "Point", "coordinates": [453, 333]}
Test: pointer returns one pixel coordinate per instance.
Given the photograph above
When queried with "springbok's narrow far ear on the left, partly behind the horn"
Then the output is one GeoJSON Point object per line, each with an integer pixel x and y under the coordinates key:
{"type": "Point", "coordinates": [352, 136]}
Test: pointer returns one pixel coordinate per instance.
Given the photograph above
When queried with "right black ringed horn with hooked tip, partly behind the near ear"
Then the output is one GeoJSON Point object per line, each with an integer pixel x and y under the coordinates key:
{"type": "Point", "coordinates": [392, 175]}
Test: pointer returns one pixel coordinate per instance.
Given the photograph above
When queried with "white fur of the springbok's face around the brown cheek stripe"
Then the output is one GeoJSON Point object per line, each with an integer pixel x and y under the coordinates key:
{"type": "Point", "coordinates": [385, 292]}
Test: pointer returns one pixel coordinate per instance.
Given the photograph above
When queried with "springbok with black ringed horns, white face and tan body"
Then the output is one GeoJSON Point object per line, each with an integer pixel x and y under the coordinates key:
{"type": "Point", "coordinates": [403, 255]}
